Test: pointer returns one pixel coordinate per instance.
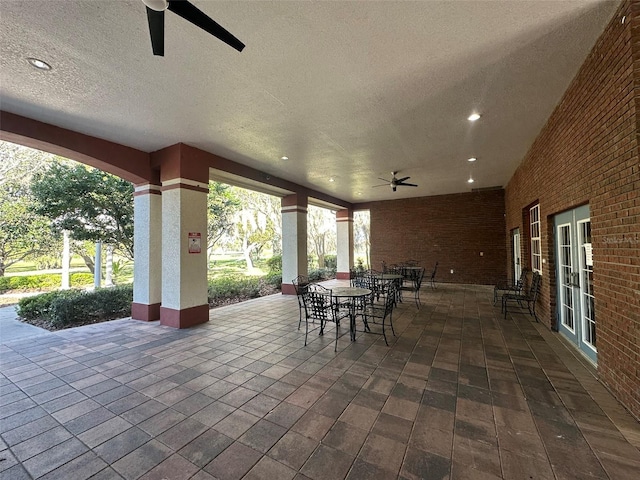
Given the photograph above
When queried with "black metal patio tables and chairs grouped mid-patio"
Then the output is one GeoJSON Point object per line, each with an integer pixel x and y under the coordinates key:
{"type": "Point", "coordinates": [372, 295]}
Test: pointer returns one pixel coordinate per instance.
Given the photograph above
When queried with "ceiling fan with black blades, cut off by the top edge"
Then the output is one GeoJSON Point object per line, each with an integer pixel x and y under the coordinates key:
{"type": "Point", "coordinates": [188, 11]}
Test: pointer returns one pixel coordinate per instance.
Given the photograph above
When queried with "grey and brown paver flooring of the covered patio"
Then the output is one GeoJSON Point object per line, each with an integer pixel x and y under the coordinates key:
{"type": "Point", "coordinates": [461, 394]}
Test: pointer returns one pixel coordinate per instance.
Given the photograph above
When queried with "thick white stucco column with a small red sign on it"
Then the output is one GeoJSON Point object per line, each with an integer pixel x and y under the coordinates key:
{"type": "Point", "coordinates": [185, 185]}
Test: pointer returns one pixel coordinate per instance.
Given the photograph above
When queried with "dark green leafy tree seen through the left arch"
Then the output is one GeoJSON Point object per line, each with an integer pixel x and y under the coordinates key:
{"type": "Point", "coordinates": [91, 204]}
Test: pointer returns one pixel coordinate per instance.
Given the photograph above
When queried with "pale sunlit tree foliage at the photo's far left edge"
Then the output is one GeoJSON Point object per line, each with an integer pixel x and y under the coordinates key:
{"type": "Point", "coordinates": [23, 232]}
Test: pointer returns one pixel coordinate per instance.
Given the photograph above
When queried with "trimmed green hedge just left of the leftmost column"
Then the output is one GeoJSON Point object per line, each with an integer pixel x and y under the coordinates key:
{"type": "Point", "coordinates": [68, 307]}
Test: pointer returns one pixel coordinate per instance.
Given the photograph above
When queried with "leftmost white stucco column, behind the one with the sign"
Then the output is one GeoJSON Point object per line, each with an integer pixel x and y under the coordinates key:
{"type": "Point", "coordinates": [147, 231]}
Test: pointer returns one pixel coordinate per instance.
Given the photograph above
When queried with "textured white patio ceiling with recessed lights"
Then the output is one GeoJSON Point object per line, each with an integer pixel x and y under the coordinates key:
{"type": "Point", "coordinates": [350, 90]}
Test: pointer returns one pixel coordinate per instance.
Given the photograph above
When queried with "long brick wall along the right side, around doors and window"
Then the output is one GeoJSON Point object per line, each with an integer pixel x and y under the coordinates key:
{"type": "Point", "coordinates": [587, 153]}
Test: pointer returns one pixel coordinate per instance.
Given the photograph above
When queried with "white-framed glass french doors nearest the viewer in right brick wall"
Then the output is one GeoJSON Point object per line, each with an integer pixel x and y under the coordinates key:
{"type": "Point", "coordinates": [574, 280]}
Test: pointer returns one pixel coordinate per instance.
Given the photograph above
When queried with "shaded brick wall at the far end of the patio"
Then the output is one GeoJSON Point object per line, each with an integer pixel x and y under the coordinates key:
{"type": "Point", "coordinates": [449, 229]}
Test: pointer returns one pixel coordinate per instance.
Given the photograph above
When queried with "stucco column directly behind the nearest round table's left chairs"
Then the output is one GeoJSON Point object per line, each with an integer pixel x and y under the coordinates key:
{"type": "Point", "coordinates": [294, 240]}
